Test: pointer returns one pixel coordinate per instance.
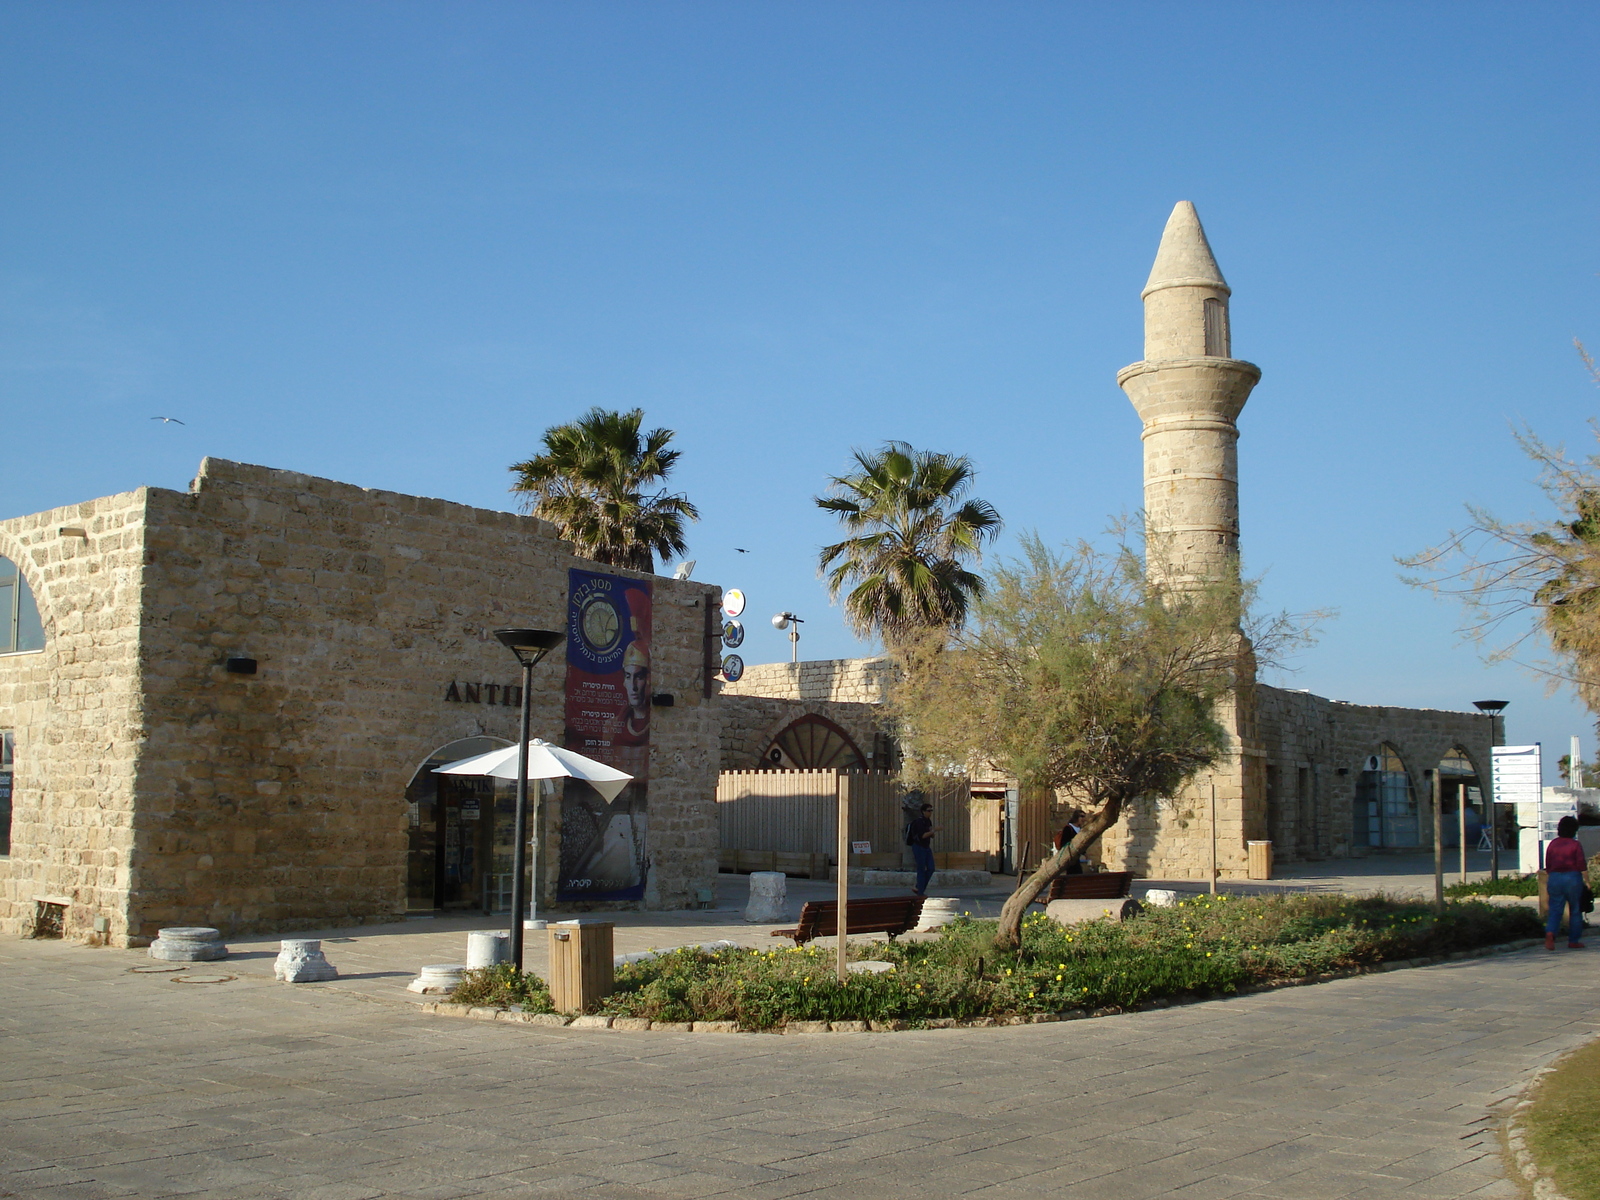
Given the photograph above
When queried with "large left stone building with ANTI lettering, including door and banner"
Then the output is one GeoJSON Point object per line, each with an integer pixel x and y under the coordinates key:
{"type": "Point", "coordinates": [222, 706]}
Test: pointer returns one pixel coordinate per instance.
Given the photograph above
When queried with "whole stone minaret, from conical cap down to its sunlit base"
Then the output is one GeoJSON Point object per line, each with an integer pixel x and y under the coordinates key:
{"type": "Point", "coordinates": [1190, 391]}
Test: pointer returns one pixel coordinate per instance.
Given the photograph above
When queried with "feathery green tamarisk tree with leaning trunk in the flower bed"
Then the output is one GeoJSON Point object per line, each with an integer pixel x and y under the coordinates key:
{"type": "Point", "coordinates": [1081, 674]}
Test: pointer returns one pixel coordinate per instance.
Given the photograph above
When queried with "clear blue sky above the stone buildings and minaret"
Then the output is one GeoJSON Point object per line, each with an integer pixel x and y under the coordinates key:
{"type": "Point", "coordinates": [393, 244]}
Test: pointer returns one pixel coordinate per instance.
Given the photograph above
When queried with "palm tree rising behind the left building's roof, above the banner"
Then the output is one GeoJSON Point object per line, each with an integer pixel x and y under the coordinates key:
{"type": "Point", "coordinates": [591, 482]}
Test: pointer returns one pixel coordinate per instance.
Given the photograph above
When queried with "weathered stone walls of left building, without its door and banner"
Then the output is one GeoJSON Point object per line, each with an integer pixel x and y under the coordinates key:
{"type": "Point", "coordinates": [276, 801]}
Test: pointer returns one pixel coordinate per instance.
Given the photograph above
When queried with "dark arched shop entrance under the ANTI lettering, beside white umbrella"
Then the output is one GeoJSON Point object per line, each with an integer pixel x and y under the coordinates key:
{"type": "Point", "coordinates": [462, 833]}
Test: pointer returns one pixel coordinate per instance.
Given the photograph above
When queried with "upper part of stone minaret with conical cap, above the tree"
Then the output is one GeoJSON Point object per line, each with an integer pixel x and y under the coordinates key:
{"type": "Point", "coordinates": [1190, 391]}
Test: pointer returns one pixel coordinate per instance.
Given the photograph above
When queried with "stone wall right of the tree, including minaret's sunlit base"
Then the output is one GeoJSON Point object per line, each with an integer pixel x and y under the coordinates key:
{"type": "Point", "coordinates": [1284, 783]}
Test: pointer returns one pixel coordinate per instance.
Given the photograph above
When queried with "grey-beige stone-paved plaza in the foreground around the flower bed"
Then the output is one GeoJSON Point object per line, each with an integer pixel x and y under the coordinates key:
{"type": "Point", "coordinates": [127, 1084]}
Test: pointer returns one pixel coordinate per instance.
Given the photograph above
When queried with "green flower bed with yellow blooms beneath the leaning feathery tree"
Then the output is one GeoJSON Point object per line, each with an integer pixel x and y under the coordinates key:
{"type": "Point", "coordinates": [1206, 946]}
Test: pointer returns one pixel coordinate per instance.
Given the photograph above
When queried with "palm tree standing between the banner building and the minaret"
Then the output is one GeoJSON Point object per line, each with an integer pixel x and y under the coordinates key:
{"type": "Point", "coordinates": [911, 534]}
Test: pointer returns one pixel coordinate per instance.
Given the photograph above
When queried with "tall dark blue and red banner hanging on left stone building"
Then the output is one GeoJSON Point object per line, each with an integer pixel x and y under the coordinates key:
{"type": "Point", "coordinates": [609, 634]}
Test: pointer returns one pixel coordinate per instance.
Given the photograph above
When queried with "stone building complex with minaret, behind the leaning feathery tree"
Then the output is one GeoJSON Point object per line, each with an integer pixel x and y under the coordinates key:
{"type": "Point", "coordinates": [1318, 778]}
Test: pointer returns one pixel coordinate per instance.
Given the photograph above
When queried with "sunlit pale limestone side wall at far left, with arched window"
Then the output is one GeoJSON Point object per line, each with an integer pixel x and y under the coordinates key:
{"type": "Point", "coordinates": [76, 713]}
